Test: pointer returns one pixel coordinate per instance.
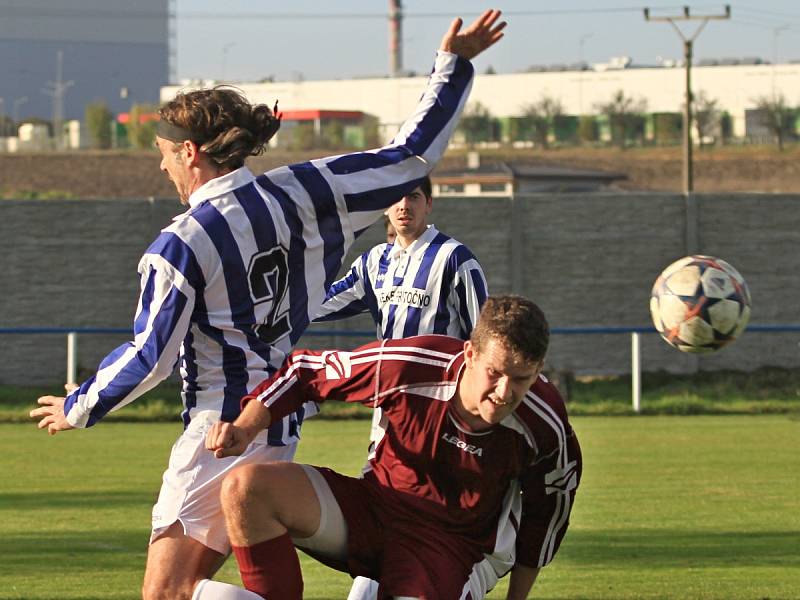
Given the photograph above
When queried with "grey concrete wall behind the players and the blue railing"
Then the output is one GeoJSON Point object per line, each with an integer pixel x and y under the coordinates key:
{"type": "Point", "coordinates": [588, 260]}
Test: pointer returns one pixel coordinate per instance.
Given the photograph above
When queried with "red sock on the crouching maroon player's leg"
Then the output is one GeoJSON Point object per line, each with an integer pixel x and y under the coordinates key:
{"type": "Point", "coordinates": [271, 569]}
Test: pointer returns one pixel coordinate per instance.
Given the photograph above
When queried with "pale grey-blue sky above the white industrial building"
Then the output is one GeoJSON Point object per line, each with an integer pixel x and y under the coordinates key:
{"type": "Point", "coordinates": [342, 39]}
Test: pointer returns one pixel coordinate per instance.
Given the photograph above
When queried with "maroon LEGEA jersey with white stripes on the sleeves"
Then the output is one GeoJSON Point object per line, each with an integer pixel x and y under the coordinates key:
{"type": "Point", "coordinates": [507, 490]}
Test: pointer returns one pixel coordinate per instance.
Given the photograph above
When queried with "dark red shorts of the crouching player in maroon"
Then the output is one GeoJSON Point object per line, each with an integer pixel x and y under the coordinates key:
{"type": "Point", "coordinates": [408, 557]}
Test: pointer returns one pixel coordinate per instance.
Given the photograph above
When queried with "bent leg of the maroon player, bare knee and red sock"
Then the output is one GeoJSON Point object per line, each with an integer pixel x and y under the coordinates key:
{"type": "Point", "coordinates": [265, 507]}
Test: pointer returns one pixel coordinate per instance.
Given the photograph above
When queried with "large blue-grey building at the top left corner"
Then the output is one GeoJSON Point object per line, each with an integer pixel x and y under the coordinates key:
{"type": "Point", "coordinates": [55, 57]}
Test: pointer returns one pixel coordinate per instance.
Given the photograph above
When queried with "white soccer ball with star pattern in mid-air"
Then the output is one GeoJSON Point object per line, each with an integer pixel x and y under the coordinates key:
{"type": "Point", "coordinates": [700, 304]}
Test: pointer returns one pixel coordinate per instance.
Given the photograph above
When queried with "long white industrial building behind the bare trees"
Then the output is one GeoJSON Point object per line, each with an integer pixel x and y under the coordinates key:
{"type": "Point", "coordinates": [736, 87]}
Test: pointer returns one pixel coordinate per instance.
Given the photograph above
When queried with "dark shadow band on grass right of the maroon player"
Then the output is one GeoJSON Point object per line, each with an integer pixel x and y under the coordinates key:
{"type": "Point", "coordinates": [656, 548]}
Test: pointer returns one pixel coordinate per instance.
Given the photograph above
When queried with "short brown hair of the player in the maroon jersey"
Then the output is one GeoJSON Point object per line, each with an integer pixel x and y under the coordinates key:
{"type": "Point", "coordinates": [517, 323]}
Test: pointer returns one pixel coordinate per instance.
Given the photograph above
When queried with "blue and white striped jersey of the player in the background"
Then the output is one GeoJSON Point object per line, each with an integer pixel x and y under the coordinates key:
{"type": "Point", "coordinates": [435, 285]}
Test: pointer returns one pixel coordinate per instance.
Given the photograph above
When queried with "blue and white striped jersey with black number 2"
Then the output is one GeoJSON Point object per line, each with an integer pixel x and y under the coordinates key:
{"type": "Point", "coordinates": [228, 288]}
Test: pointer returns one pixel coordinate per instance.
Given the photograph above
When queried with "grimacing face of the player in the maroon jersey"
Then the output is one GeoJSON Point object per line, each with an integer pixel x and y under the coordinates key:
{"type": "Point", "coordinates": [495, 381]}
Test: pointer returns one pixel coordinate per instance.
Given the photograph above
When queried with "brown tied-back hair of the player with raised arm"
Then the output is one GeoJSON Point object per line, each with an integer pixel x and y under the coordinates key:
{"type": "Point", "coordinates": [223, 124]}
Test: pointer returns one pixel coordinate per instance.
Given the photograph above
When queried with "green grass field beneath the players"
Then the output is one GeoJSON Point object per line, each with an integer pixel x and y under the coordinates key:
{"type": "Point", "coordinates": [670, 507]}
